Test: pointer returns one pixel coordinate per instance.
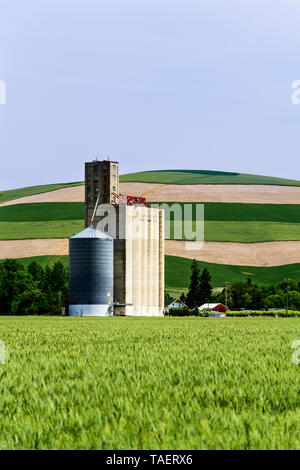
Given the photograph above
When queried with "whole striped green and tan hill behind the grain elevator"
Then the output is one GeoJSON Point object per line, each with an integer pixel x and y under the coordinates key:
{"type": "Point", "coordinates": [242, 212]}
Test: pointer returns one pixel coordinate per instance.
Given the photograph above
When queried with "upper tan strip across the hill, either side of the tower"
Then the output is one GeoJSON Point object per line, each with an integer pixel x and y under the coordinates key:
{"type": "Point", "coordinates": [258, 194]}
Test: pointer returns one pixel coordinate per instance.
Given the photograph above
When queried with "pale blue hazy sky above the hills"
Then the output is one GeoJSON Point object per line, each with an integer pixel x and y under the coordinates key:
{"type": "Point", "coordinates": [153, 84]}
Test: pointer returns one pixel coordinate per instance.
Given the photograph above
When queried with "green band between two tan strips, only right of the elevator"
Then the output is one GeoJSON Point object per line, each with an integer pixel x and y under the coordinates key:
{"type": "Point", "coordinates": [244, 223]}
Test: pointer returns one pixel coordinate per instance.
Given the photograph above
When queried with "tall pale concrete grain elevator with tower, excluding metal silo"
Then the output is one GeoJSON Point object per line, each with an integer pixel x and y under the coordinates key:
{"type": "Point", "coordinates": [138, 235]}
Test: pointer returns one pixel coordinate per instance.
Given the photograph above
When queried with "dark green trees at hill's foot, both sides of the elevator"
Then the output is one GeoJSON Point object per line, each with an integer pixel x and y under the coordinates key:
{"type": "Point", "coordinates": [36, 290]}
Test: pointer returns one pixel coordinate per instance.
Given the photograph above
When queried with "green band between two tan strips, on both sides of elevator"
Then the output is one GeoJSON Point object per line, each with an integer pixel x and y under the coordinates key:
{"type": "Point", "coordinates": [223, 221]}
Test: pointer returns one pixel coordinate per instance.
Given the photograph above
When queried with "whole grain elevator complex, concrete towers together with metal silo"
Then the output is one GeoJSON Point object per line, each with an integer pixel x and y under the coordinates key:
{"type": "Point", "coordinates": [128, 258]}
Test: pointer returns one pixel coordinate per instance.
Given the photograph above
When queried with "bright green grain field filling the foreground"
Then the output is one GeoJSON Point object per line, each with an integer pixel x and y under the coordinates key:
{"type": "Point", "coordinates": [149, 383]}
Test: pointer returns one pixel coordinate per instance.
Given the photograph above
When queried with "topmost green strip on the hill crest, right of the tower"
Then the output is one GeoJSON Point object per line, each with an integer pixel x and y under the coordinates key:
{"type": "Point", "coordinates": [203, 177]}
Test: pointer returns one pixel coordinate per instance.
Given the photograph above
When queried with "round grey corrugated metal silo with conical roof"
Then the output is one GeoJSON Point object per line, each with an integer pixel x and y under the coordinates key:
{"type": "Point", "coordinates": [91, 273]}
